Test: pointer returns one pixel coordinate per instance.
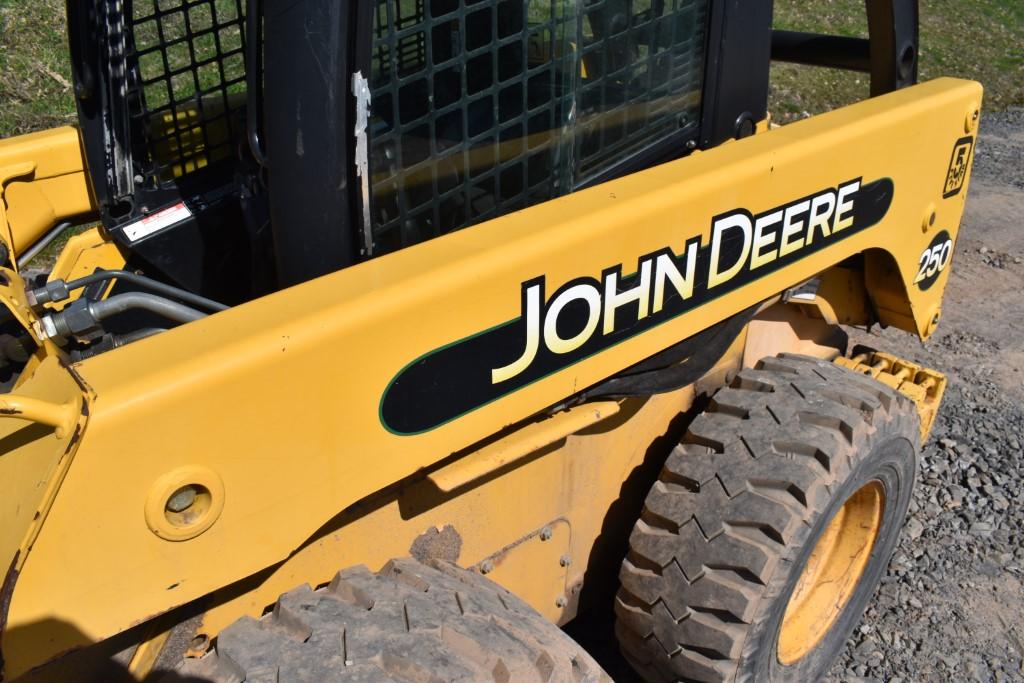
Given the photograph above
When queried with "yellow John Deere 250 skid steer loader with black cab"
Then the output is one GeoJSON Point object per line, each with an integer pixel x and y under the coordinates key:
{"type": "Point", "coordinates": [402, 333]}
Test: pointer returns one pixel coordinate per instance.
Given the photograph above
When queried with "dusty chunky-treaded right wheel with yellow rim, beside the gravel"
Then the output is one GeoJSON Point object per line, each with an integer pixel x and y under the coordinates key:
{"type": "Point", "coordinates": [796, 458]}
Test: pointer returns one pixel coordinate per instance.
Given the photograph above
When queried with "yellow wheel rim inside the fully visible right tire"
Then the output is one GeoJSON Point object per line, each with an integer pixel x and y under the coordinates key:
{"type": "Point", "coordinates": [832, 574]}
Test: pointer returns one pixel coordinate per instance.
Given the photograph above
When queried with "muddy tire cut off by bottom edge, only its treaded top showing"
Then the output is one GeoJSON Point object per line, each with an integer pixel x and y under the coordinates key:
{"type": "Point", "coordinates": [410, 622]}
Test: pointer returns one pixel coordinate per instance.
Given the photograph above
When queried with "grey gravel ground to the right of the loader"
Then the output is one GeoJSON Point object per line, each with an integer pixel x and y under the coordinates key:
{"type": "Point", "coordinates": [953, 605]}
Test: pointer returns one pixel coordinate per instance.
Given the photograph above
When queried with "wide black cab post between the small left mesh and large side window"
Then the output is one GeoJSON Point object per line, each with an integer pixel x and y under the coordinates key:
{"type": "Point", "coordinates": [308, 126]}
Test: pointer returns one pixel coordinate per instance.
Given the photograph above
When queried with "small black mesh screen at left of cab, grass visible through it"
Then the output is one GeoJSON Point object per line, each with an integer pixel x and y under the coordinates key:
{"type": "Point", "coordinates": [187, 61]}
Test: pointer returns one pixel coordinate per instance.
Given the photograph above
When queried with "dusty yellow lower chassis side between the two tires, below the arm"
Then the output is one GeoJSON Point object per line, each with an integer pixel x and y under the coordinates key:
{"type": "Point", "coordinates": [565, 488]}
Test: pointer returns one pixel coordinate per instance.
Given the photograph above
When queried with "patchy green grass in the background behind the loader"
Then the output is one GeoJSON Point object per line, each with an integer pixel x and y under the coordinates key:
{"type": "Point", "coordinates": [979, 39]}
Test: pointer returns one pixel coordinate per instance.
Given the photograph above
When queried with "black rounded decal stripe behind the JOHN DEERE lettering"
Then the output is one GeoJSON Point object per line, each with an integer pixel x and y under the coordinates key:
{"type": "Point", "coordinates": [454, 380]}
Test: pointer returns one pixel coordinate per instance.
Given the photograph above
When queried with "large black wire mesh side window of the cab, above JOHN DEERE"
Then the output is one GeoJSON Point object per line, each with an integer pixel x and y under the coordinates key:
{"type": "Point", "coordinates": [481, 108]}
